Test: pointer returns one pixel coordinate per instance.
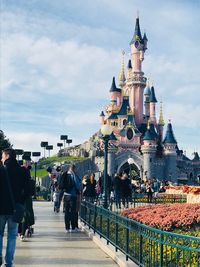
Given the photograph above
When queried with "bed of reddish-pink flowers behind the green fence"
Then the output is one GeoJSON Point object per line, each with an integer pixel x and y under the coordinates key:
{"type": "Point", "coordinates": [168, 217]}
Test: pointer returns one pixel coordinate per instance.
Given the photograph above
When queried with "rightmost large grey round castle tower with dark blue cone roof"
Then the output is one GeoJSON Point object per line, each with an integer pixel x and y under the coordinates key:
{"type": "Point", "coordinates": [170, 154]}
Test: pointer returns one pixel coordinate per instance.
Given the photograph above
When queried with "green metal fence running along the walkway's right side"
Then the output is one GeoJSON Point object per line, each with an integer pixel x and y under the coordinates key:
{"type": "Point", "coordinates": [145, 245]}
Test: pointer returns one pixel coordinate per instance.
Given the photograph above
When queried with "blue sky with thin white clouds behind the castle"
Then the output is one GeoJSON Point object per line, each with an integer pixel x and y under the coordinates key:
{"type": "Point", "coordinates": [57, 60]}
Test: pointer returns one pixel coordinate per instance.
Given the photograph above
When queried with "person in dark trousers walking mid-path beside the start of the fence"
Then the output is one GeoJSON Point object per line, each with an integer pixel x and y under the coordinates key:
{"type": "Point", "coordinates": [71, 185]}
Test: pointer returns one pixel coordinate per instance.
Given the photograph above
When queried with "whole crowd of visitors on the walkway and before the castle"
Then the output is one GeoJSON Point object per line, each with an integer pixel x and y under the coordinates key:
{"type": "Point", "coordinates": [17, 188]}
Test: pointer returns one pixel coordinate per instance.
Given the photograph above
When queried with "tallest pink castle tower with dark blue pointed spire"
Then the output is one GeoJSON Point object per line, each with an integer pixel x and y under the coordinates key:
{"type": "Point", "coordinates": [138, 82]}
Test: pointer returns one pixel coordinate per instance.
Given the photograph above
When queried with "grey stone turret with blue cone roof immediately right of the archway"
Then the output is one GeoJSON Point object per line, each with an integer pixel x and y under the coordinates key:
{"type": "Point", "coordinates": [149, 152]}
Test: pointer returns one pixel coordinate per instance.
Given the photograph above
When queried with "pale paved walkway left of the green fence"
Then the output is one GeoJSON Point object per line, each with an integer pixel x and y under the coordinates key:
{"type": "Point", "coordinates": [51, 246]}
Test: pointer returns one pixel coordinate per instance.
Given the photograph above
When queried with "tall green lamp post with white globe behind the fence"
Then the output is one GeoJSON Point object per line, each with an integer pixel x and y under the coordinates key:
{"type": "Point", "coordinates": [106, 131]}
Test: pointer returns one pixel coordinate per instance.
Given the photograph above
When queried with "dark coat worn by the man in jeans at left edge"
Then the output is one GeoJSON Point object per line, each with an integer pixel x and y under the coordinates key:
{"type": "Point", "coordinates": [18, 182]}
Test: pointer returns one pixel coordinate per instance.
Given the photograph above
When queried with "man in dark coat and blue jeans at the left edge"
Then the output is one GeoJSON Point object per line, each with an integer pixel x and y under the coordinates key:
{"type": "Point", "coordinates": [11, 176]}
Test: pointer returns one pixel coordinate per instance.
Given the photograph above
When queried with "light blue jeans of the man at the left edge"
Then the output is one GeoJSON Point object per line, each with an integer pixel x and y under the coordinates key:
{"type": "Point", "coordinates": [11, 238]}
